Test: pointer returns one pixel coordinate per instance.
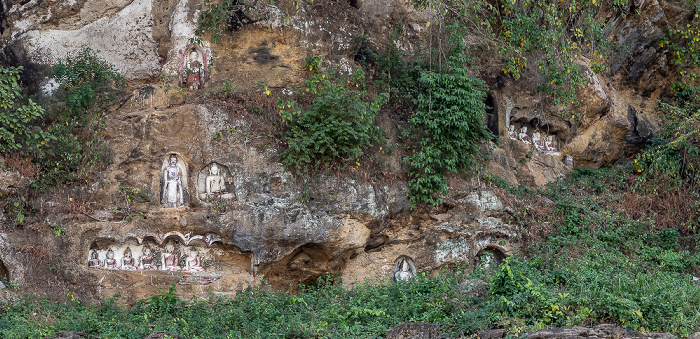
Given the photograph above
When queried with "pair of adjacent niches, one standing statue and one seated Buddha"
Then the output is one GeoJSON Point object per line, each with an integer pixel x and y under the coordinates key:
{"type": "Point", "coordinates": [214, 182]}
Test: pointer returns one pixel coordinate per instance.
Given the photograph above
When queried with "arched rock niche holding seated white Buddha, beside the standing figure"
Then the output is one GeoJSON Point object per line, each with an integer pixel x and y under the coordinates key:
{"type": "Point", "coordinates": [215, 182]}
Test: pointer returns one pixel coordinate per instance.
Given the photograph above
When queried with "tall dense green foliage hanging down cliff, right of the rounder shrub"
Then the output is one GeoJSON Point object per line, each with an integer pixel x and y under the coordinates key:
{"type": "Point", "coordinates": [450, 125]}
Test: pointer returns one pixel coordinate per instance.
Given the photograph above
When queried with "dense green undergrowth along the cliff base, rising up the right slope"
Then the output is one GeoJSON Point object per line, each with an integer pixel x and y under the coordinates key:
{"type": "Point", "coordinates": [591, 259]}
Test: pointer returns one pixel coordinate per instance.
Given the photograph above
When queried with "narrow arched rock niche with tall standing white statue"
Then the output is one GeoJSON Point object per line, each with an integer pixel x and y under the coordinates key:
{"type": "Point", "coordinates": [173, 182]}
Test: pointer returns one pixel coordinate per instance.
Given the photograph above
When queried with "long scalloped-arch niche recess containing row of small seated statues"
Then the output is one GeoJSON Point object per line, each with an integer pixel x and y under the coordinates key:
{"type": "Point", "coordinates": [172, 252]}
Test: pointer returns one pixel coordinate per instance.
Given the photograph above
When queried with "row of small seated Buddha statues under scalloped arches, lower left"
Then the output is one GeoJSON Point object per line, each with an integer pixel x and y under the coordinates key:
{"type": "Point", "coordinates": [169, 261]}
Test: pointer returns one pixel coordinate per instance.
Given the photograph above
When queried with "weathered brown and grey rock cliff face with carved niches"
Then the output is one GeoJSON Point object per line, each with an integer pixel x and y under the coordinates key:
{"type": "Point", "coordinates": [222, 229]}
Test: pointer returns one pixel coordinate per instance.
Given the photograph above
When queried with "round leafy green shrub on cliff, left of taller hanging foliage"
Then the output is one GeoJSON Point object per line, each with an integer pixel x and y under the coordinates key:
{"type": "Point", "coordinates": [333, 121]}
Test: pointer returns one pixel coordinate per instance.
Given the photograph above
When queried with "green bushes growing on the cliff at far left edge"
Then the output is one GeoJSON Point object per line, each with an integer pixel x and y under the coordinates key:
{"type": "Point", "coordinates": [55, 141]}
